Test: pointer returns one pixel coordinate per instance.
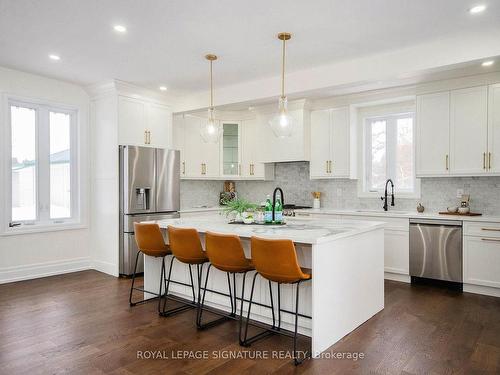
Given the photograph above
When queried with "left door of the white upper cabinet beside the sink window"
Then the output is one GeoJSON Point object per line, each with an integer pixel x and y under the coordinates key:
{"type": "Point", "coordinates": [320, 144]}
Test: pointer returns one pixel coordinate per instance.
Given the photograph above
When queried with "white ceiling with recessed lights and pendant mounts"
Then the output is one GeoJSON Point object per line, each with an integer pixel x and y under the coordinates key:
{"type": "Point", "coordinates": [166, 40]}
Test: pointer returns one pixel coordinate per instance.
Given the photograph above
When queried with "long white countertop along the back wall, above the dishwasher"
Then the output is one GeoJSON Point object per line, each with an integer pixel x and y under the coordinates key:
{"type": "Point", "coordinates": [396, 214]}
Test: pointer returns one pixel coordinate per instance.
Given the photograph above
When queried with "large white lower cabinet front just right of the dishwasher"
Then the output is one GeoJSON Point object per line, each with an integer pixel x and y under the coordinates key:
{"type": "Point", "coordinates": [482, 261]}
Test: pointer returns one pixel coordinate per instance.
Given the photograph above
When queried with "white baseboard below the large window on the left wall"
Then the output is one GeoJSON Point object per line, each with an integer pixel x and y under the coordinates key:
{"type": "Point", "coordinates": [35, 271]}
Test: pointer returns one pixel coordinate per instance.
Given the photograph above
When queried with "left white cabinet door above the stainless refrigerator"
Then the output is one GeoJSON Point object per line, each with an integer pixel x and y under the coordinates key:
{"type": "Point", "coordinates": [131, 121]}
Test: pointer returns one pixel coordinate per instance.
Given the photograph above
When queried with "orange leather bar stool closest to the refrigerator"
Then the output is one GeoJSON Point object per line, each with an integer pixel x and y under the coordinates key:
{"type": "Point", "coordinates": [149, 242]}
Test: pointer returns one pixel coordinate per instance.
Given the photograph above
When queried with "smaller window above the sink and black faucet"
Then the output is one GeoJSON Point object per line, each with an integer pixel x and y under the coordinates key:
{"type": "Point", "coordinates": [389, 153]}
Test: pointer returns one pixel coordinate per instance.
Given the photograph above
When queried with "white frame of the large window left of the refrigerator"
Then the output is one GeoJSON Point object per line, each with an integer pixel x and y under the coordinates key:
{"type": "Point", "coordinates": [43, 221]}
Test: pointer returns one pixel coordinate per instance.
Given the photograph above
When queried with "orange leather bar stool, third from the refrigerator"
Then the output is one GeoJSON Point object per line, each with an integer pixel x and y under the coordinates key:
{"type": "Point", "coordinates": [226, 254]}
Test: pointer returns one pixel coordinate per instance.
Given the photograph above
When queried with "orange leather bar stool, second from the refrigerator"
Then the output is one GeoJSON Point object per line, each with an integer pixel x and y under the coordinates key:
{"type": "Point", "coordinates": [186, 247]}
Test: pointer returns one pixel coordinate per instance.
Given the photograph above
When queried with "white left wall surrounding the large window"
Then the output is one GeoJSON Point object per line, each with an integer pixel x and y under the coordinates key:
{"type": "Point", "coordinates": [27, 256]}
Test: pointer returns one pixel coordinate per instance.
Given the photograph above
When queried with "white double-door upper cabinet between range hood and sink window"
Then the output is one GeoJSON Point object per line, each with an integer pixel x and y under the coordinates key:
{"type": "Point", "coordinates": [330, 140]}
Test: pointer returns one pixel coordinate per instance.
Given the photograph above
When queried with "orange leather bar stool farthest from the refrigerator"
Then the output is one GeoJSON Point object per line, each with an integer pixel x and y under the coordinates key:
{"type": "Point", "coordinates": [276, 261]}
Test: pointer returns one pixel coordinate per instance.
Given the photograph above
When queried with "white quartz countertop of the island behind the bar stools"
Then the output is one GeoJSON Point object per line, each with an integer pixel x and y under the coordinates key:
{"type": "Point", "coordinates": [299, 230]}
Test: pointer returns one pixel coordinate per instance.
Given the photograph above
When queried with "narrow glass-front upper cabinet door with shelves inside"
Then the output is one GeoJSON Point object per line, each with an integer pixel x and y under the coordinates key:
{"type": "Point", "coordinates": [231, 149]}
